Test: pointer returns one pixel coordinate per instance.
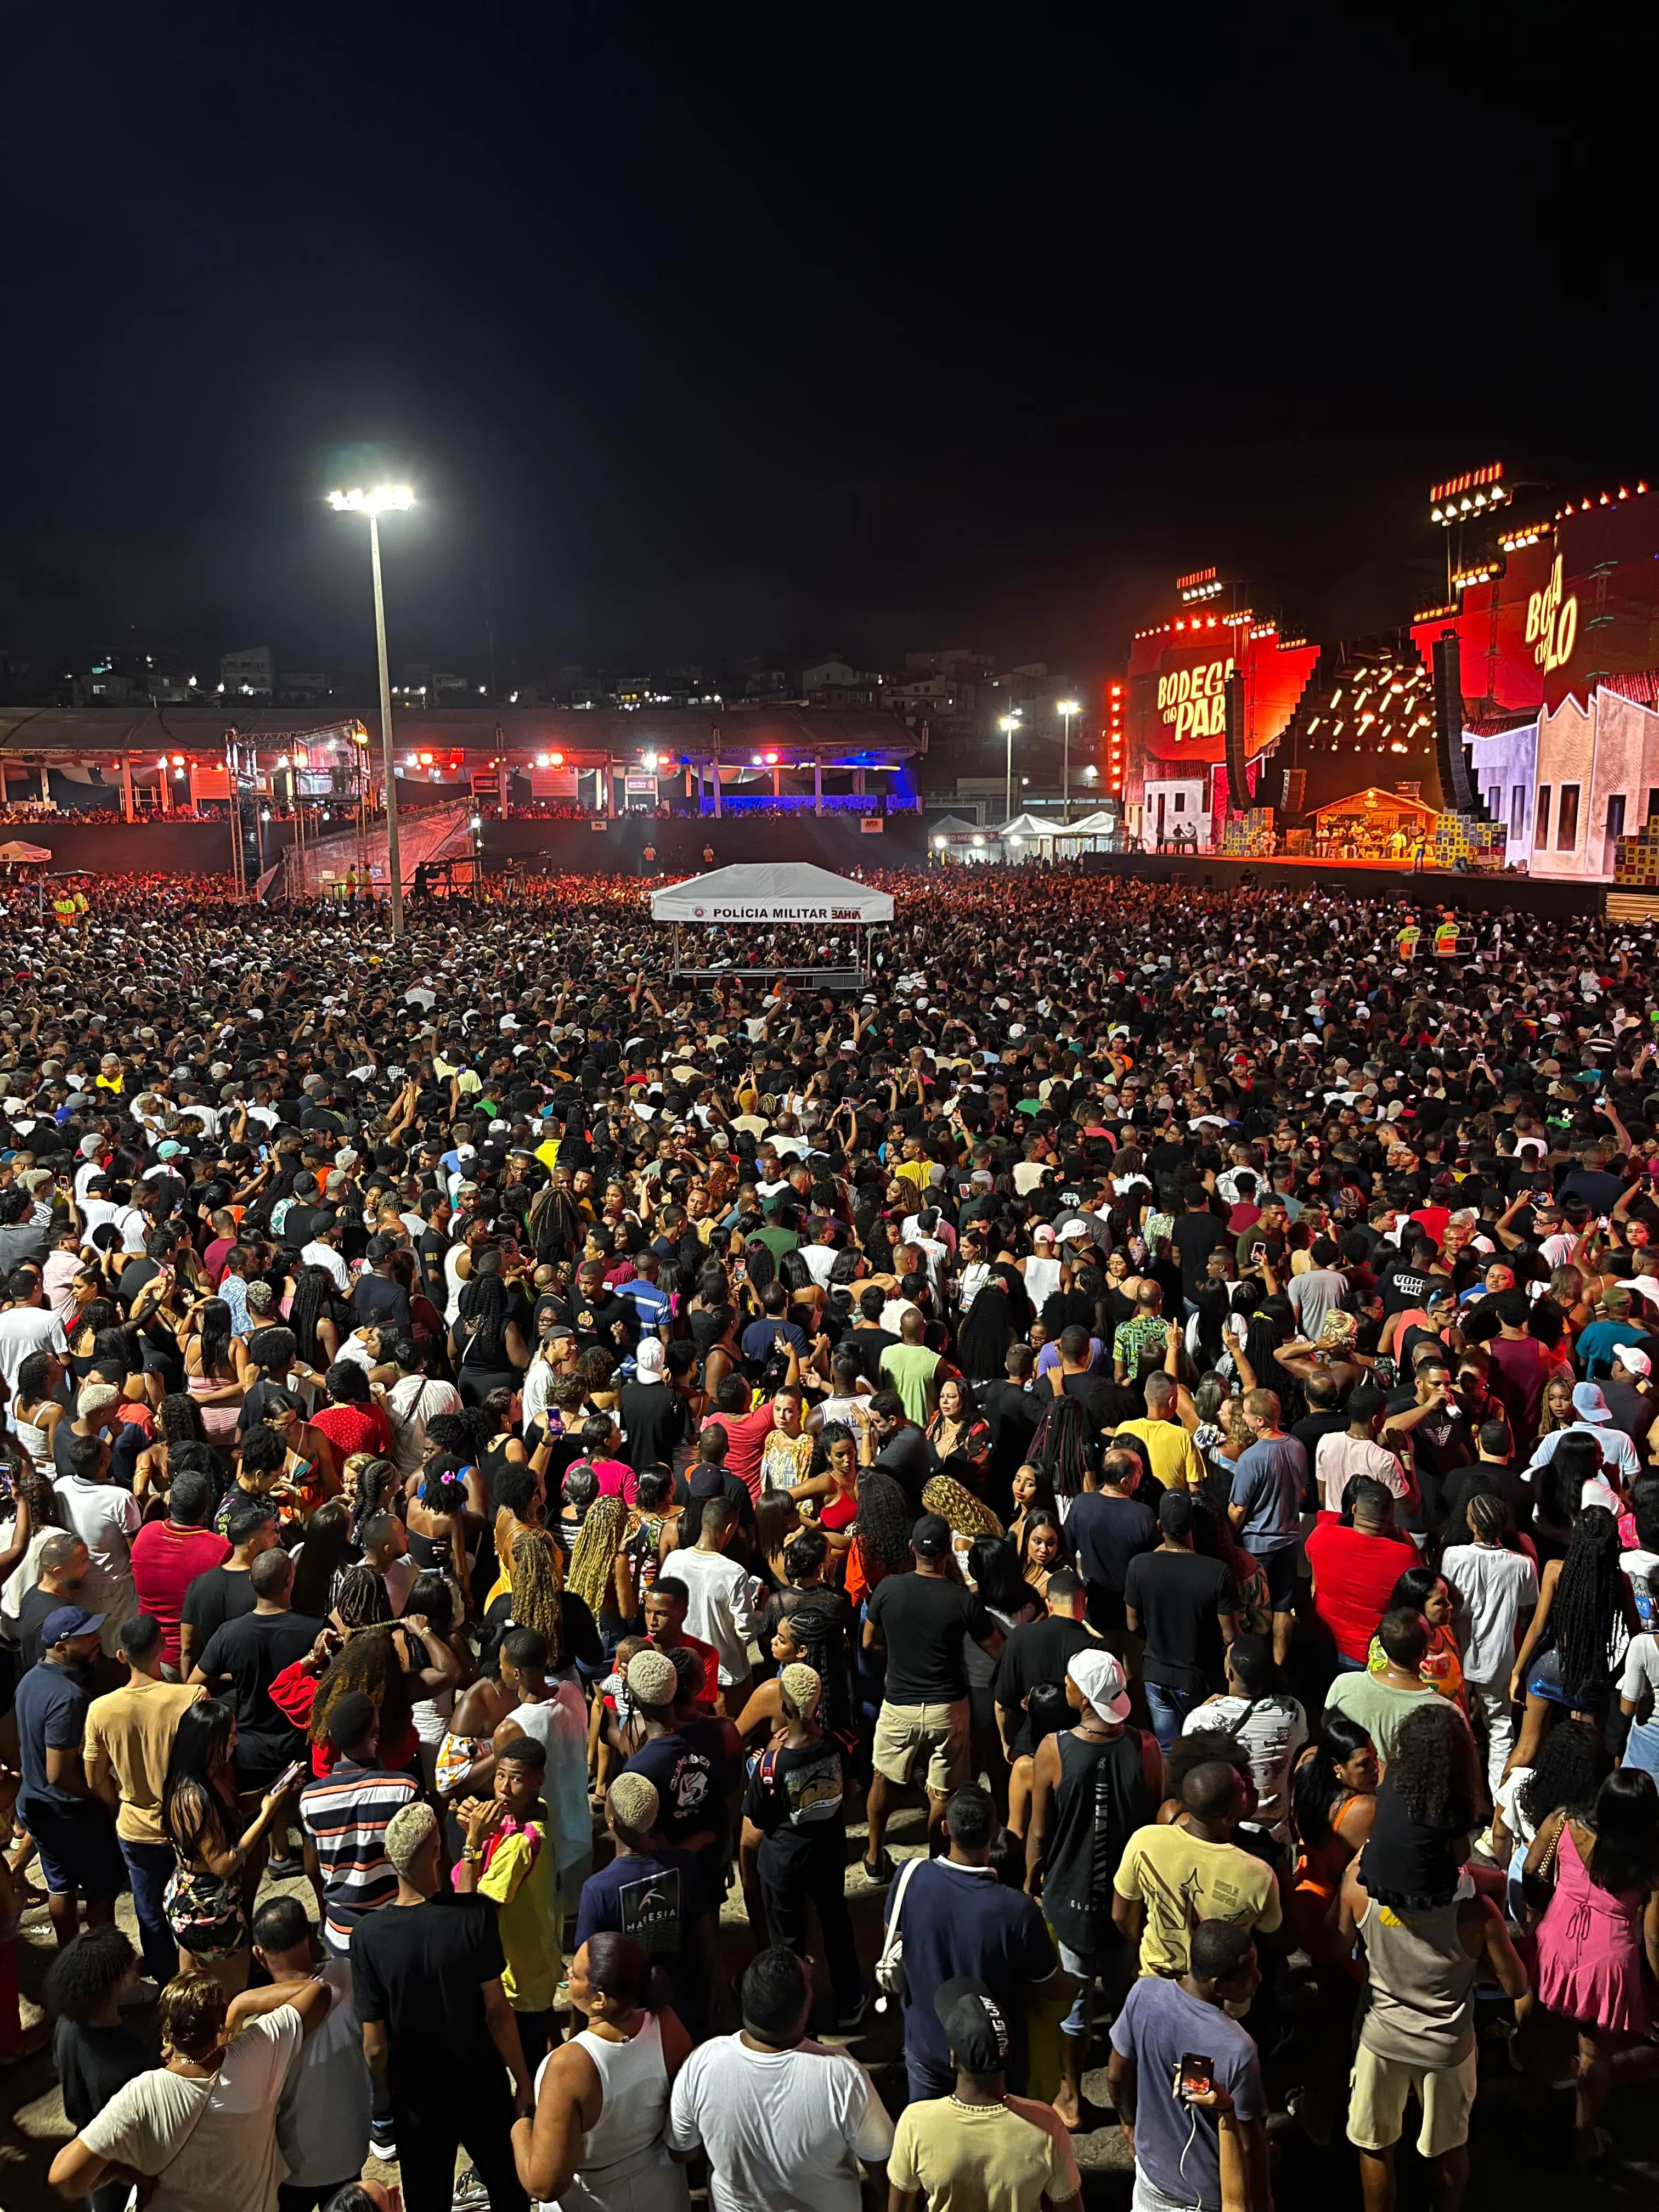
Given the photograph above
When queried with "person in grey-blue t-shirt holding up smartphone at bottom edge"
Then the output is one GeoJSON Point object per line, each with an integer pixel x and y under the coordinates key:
{"type": "Point", "coordinates": [1187, 2080]}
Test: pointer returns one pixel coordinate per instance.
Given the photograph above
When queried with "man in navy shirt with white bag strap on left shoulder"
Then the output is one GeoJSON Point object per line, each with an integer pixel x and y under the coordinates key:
{"type": "Point", "coordinates": [954, 1917]}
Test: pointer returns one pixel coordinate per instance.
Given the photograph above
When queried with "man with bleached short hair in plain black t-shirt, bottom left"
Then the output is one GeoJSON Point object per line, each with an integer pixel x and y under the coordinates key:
{"type": "Point", "coordinates": [437, 2027]}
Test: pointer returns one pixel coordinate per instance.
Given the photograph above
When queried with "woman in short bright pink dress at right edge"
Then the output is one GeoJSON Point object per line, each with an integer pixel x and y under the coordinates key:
{"type": "Point", "coordinates": [1600, 1919]}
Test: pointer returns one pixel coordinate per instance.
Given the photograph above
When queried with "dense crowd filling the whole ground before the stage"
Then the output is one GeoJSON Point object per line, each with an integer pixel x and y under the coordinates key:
{"type": "Point", "coordinates": [534, 1485]}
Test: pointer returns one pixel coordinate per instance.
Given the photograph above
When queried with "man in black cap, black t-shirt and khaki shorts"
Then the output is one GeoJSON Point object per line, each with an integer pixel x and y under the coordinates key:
{"type": "Point", "coordinates": [919, 1620]}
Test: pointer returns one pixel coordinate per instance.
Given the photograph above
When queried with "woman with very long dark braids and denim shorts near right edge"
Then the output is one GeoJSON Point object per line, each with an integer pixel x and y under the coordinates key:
{"type": "Point", "coordinates": [1565, 1665]}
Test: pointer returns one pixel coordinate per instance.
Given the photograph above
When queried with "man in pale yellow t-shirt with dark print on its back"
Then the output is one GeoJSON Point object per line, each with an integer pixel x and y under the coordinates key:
{"type": "Point", "coordinates": [1169, 1879]}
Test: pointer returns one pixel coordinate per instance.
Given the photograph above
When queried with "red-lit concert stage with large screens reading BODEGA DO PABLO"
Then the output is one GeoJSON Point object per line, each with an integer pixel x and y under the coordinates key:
{"type": "Point", "coordinates": [1521, 709]}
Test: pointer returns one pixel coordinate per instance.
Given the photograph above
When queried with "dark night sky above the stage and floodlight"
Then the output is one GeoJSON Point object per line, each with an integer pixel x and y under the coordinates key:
{"type": "Point", "coordinates": [722, 331]}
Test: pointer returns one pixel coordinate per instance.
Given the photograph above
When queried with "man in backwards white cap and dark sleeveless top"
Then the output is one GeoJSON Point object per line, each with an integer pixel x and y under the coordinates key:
{"type": "Point", "coordinates": [1092, 1788]}
